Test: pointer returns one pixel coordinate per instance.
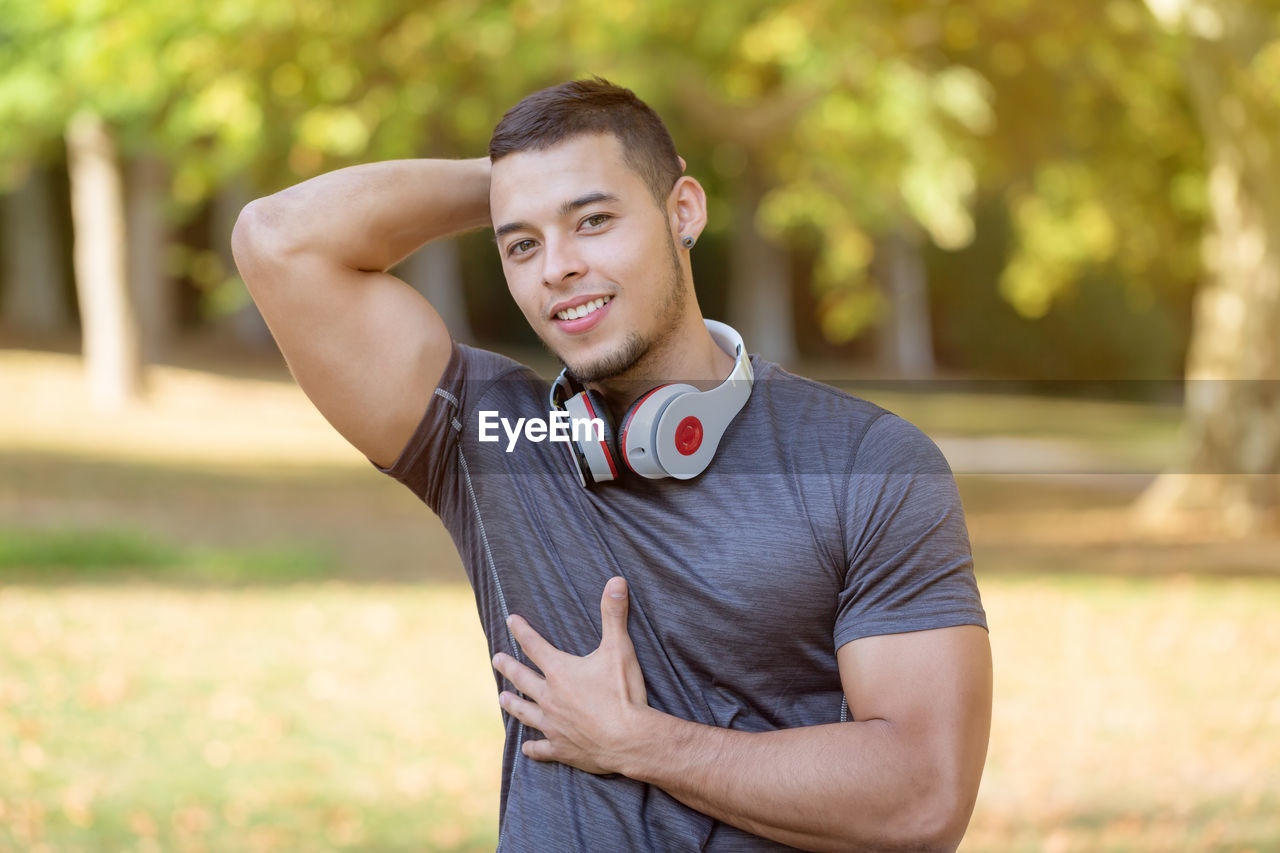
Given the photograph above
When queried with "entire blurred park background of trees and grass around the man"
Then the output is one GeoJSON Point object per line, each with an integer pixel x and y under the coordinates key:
{"type": "Point", "coordinates": [1048, 234]}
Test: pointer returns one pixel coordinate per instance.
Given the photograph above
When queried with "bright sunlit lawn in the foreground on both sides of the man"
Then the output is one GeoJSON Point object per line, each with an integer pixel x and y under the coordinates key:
{"type": "Point", "coordinates": [1131, 715]}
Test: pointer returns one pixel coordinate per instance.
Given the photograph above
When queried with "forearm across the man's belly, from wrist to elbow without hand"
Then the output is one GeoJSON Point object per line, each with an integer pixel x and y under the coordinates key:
{"type": "Point", "coordinates": [853, 786]}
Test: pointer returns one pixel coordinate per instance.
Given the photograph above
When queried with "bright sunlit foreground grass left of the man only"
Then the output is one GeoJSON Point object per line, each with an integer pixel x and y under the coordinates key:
{"type": "Point", "coordinates": [296, 718]}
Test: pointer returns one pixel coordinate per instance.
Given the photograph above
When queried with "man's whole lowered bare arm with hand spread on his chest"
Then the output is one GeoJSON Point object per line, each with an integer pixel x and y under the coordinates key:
{"type": "Point", "coordinates": [904, 777]}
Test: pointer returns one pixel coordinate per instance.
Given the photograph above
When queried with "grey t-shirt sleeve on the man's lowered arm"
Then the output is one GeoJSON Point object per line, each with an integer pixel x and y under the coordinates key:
{"type": "Point", "coordinates": [911, 567]}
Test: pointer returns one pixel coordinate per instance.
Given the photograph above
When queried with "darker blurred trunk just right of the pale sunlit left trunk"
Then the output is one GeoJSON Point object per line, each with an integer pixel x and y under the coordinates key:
{"type": "Point", "coordinates": [152, 288]}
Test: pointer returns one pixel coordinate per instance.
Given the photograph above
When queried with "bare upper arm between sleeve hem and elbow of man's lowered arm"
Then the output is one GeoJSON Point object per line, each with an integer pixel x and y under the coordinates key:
{"type": "Point", "coordinates": [934, 688]}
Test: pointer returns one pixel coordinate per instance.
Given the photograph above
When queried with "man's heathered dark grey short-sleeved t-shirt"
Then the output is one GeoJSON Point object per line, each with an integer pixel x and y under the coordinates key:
{"type": "Point", "coordinates": [821, 521]}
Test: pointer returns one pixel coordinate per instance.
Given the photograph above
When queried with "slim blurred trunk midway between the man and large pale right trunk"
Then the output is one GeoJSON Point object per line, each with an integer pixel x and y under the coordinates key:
{"type": "Point", "coordinates": [904, 343]}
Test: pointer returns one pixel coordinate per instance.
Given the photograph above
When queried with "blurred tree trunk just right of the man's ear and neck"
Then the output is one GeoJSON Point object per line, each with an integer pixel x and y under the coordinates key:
{"type": "Point", "coordinates": [760, 289]}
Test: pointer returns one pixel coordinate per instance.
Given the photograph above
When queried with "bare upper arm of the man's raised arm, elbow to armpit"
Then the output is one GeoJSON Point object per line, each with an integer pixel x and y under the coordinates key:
{"type": "Point", "coordinates": [365, 348]}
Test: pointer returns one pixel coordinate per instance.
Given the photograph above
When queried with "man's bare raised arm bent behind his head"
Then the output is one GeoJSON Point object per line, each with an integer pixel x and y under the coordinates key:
{"type": "Point", "coordinates": [364, 346]}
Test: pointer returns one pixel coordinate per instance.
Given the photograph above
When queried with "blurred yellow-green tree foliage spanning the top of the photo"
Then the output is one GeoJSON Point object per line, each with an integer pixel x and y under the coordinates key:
{"type": "Point", "coordinates": [847, 122]}
